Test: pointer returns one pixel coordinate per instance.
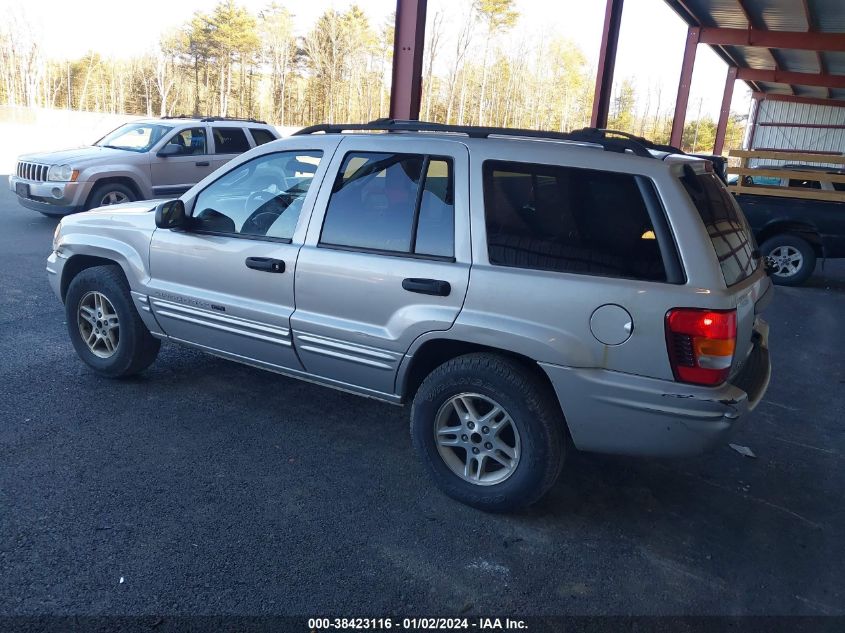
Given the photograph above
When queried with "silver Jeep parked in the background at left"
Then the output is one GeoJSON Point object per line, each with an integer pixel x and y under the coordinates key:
{"type": "Point", "coordinates": [141, 160]}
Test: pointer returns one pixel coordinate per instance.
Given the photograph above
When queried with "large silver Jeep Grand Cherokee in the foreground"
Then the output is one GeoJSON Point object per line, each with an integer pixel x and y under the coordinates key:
{"type": "Point", "coordinates": [523, 291]}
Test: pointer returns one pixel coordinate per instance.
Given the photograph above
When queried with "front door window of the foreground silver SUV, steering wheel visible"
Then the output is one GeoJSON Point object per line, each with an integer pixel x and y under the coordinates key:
{"type": "Point", "coordinates": [261, 198]}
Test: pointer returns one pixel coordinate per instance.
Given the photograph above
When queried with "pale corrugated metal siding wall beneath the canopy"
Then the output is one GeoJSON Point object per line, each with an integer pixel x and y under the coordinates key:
{"type": "Point", "coordinates": [799, 138]}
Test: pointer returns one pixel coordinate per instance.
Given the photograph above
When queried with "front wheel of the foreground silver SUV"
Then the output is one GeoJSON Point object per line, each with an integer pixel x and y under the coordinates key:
{"type": "Point", "coordinates": [104, 326]}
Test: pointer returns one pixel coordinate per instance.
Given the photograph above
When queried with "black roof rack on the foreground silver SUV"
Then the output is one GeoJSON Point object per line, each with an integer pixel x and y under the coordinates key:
{"type": "Point", "coordinates": [587, 135]}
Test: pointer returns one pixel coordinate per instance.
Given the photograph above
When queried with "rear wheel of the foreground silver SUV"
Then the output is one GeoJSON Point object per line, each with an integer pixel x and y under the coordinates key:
{"type": "Point", "coordinates": [489, 432]}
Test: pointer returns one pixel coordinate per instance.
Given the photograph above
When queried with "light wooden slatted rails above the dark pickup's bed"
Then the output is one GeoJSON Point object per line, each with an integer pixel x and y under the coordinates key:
{"type": "Point", "coordinates": [802, 193]}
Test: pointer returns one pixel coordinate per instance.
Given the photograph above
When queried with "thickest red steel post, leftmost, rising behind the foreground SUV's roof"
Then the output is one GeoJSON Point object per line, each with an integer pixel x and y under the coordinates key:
{"type": "Point", "coordinates": [408, 44]}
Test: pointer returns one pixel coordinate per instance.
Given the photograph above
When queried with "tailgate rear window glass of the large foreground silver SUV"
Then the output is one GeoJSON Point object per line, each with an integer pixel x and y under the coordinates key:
{"type": "Point", "coordinates": [729, 232]}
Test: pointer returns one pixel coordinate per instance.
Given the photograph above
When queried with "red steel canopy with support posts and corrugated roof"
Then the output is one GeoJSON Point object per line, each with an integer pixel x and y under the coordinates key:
{"type": "Point", "coordinates": [785, 50]}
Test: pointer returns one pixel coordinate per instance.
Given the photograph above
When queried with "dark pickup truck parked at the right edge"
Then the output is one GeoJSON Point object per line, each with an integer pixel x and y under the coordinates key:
{"type": "Point", "coordinates": [795, 232]}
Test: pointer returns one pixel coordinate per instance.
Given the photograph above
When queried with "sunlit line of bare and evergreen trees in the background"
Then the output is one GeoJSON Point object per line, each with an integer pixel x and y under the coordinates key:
{"type": "Point", "coordinates": [229, 62]}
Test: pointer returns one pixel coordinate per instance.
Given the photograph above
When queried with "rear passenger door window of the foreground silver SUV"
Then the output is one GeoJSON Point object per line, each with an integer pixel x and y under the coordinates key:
{"type": "Point", "coordinates": [396, 203]}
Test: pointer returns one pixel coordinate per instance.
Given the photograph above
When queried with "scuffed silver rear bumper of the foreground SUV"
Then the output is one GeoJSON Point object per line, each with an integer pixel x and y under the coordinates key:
{"type": "Point", "coordinates": [611, 412]}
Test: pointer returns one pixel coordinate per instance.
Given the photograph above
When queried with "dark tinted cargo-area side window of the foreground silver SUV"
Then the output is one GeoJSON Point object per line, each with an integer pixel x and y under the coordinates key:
{"type": "Point", "coordinates": [569, 220]}
